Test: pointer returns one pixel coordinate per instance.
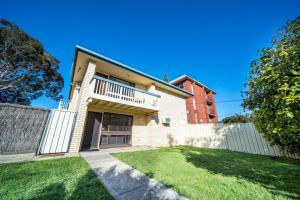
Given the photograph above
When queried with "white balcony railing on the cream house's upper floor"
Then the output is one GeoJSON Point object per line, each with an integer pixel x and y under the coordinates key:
{"type": "Point", "coordinates": [120, 93]}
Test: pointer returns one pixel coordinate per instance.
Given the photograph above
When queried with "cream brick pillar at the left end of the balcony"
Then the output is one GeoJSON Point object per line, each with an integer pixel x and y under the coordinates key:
{"type": "Point", "coordinates": [84, 94]}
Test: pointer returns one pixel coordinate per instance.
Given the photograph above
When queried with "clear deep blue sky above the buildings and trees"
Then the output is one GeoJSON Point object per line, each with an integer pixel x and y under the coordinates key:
{"type": "Point", "coordinates": [212, 41]}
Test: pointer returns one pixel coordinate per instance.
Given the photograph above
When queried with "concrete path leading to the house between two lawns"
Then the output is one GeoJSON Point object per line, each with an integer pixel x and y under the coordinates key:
{"type": "Point", "coordinates": [124, 182]}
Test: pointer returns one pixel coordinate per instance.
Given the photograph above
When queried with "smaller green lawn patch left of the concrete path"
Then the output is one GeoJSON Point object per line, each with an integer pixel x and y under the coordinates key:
{"type": "Point", "coordinates": [65, 178]}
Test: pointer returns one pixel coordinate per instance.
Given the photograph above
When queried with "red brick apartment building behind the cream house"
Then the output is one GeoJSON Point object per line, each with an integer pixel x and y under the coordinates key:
{"type": "Point", "coordinates": [201, 107]}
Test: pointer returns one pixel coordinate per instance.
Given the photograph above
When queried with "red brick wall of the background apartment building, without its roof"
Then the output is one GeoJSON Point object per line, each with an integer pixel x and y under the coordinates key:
{"type": "Point", "coordinates": [199, 113]}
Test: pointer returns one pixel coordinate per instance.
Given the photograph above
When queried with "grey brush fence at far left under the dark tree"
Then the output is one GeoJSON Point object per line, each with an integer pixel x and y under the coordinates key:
{"type": "Point", "coordinates": [21, 128]}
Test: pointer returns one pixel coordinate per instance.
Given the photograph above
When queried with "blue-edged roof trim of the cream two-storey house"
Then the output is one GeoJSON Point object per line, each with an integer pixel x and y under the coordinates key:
{"type": "Point", "coordinates": [99, 56]}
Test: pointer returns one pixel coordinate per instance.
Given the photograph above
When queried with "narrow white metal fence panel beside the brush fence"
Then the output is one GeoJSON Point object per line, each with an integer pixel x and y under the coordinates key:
{"type": "Point", "coordinates": [57, 134]}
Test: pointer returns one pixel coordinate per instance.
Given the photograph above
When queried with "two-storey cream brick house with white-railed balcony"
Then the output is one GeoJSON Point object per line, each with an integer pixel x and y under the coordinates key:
{"type": "Point", "coordinates": [118, 105]}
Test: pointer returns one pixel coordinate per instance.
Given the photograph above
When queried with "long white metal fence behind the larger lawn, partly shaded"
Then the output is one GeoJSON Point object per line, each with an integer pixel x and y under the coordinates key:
{"type": "Point", "coordinates": [242, 137]}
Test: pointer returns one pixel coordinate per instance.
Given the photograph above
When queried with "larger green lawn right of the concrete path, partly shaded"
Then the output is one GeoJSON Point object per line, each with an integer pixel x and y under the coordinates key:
{"type": "Point", "coordinates": [200, 173]}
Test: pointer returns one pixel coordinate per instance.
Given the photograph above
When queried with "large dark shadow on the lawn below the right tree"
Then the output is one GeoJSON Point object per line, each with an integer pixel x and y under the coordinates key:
{"type": "Point", "coordinates": [280, 177]}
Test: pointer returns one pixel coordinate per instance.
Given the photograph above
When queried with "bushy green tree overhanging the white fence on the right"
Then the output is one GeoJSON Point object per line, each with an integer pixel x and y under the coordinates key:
{"type": "Point", "coordinates": [273, 89]}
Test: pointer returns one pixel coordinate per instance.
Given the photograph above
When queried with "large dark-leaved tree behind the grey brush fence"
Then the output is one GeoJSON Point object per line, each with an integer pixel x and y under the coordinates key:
{"type": "Point", "coordinates": [27, 71]}
